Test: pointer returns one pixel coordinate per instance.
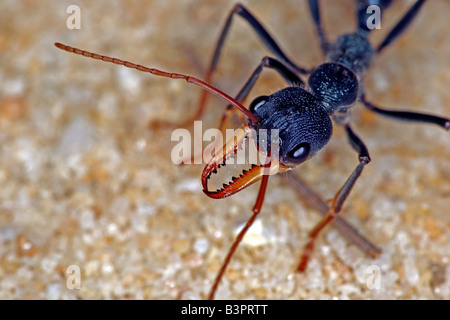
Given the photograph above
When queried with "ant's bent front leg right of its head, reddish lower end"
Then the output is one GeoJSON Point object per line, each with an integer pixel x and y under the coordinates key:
{"type": "Point", "coordinates": [340, 196]}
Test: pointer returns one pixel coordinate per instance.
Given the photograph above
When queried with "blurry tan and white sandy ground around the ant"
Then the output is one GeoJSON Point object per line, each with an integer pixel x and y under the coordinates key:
{"type": "Point", "coordinates": [87, 187]}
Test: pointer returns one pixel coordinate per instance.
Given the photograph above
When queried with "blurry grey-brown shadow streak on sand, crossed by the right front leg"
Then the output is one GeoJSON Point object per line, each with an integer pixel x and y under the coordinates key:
{"type": "Point", "coordinates": [348, 231]}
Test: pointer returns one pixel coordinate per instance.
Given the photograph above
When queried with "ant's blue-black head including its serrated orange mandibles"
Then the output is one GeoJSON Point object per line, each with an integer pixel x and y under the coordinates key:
{"type": "Point", "coordinates": [292, 127]}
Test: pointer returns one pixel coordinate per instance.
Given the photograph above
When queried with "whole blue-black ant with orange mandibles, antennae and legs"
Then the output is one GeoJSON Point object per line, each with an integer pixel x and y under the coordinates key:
{"type": "Point", "coordinates": [302, 114]}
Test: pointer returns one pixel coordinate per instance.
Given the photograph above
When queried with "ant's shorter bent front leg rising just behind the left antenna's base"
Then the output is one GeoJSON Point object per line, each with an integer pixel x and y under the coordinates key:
{"type": "Point", "coordinates": [266, 62]}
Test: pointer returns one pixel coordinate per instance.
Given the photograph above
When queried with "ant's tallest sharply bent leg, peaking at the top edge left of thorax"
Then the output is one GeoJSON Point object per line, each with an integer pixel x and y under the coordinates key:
{"type": "Point", "coordinates": [262, 33]}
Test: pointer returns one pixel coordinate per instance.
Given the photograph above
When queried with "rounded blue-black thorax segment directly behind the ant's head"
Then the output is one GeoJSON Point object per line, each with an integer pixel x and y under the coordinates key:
{"type": "Point", "coordinates": [334, 85]}
